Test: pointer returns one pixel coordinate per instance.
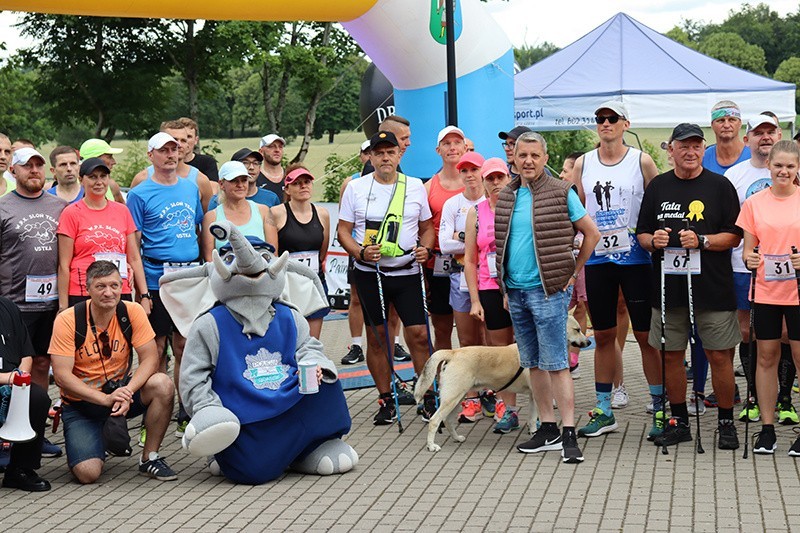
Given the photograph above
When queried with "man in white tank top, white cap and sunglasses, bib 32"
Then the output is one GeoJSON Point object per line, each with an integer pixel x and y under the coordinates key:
{"type": "Point", "coordinates": [613, 179]}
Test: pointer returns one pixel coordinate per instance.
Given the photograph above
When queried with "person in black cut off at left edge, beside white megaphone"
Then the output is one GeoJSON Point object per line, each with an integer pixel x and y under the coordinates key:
{"type": "Point", "coordinates": [16, 351]}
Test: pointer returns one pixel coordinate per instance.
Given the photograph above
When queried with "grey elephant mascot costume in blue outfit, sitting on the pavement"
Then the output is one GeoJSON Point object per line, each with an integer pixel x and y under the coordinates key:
{"type": "Point", "coordinates": [239, 377]}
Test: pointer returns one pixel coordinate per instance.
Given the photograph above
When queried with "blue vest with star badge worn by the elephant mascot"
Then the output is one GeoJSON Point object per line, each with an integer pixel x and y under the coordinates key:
{"type": "Point", "coordinates": [256, 377]}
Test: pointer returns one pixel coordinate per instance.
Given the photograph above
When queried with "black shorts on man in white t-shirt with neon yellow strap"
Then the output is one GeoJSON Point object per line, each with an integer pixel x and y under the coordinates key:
{"type": "Point", "coordinates": [403, 292]}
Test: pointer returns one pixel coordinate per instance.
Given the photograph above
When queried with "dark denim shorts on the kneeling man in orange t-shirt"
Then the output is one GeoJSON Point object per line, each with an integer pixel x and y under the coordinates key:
{"type": "Point", "coordinates": [83, 429]}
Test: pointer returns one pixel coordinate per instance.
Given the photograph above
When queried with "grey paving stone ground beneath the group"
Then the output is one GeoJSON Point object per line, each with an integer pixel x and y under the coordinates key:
{"type": "Point", "coordinates": [483, 484]}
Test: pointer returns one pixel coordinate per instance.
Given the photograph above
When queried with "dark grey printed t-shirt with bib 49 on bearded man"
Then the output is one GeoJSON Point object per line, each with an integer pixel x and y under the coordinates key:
{"type": "Point", "coordinates": [29, 250]}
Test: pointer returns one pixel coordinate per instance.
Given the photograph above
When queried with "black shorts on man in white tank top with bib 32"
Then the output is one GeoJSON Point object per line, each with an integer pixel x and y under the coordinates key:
{"type": "Point", "coordinates": [603, 282]}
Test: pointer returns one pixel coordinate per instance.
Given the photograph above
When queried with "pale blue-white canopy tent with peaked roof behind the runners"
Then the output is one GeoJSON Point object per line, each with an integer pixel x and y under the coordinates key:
{"type": "Point", "coordinates": [661, 82]}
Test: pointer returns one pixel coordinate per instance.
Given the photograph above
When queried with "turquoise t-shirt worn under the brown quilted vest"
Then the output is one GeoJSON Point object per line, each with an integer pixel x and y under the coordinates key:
{"type": "Point", "coordinates": [521, 269]}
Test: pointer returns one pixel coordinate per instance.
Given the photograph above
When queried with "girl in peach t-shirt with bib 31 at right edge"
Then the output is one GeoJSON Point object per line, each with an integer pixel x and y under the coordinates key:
{"type": "Point", "coordinates": [771, 221]}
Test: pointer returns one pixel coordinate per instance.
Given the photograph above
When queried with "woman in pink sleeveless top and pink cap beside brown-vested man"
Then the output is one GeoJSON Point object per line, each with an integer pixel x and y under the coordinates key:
{"type": "Point", "coordinates": [481, 277]}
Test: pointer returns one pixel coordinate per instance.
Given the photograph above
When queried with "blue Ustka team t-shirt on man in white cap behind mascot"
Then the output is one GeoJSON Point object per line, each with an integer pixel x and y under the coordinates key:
{"type": "Point", "coordinates": [167, 216]}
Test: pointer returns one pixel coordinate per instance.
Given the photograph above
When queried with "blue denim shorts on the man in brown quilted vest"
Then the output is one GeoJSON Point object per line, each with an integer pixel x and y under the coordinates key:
{"type": "Point", "coordinates": [540, 327]}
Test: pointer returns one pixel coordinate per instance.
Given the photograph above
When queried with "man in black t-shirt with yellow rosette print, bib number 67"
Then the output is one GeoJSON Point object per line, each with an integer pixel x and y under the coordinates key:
{"type": "Point", "coordinates": [708, 201]}
